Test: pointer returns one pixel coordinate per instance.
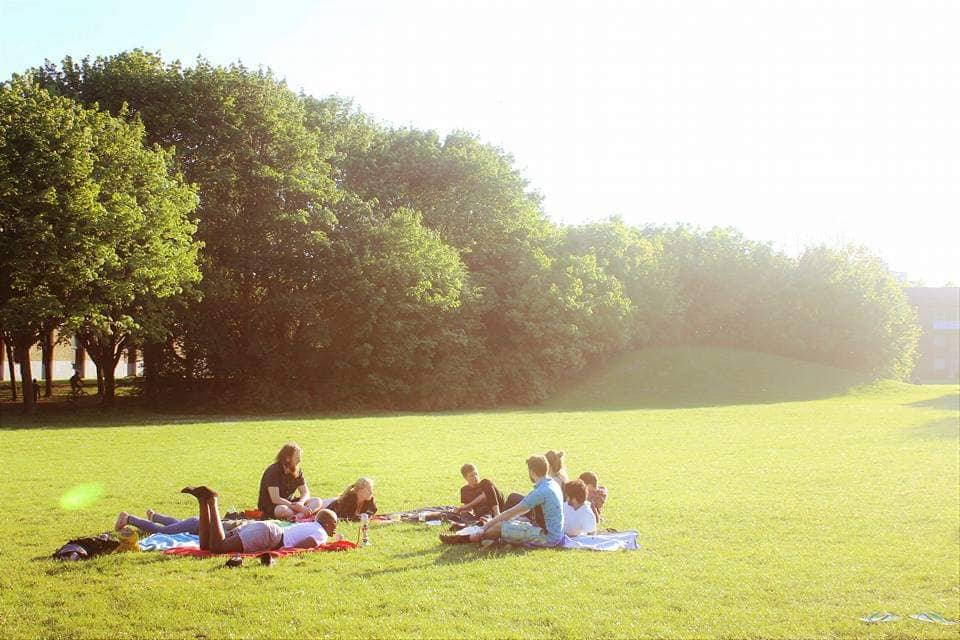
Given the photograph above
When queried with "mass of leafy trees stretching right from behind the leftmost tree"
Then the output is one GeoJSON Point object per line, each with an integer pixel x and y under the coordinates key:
{"type": "Point", "coordinates": [351, 264]}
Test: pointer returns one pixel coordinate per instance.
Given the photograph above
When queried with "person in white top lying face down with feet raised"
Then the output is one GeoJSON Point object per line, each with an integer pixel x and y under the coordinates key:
{"type": "Point", "coordinates": [255, 537]}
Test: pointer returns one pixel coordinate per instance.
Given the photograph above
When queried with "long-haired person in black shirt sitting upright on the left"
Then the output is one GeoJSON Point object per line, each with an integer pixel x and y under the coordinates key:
{"type": "Point", "coordinates": [280, 482]}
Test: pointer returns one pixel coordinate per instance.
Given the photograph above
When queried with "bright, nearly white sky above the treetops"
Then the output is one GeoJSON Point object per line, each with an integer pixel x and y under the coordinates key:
{"type": "Point", "coordinates": [797, 121]}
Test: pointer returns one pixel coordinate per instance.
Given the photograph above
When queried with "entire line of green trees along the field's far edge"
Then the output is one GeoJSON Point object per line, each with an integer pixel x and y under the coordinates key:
{"type": "Point", "coordinates": [280, 249]}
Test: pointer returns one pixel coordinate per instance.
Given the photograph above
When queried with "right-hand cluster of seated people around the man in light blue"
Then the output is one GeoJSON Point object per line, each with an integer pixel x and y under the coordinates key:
{"type": "Point", "coordinates": [556, 506]}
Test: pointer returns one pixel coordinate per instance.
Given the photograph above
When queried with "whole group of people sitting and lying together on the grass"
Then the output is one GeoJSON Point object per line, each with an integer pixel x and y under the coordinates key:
{"type": "Point", "coordinates": [284, 495]}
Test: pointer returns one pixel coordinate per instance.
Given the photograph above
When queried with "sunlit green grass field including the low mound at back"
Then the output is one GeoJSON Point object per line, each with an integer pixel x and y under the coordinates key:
{"type": "Point", "coordinates": [773, 499]}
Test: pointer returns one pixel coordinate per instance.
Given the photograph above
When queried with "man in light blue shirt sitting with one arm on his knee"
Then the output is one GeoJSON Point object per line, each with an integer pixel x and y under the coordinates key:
{"type": "Point", "coordinates": [547, 495]}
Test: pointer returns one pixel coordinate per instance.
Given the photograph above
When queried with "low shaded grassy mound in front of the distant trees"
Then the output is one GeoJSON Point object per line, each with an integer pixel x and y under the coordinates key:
{"type": "Point", "coordinates": [700, 377]}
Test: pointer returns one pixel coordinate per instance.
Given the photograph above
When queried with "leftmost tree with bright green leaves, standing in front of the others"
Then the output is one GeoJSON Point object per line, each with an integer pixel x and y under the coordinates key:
{"type": "Point", "coordinates": [85, 212]}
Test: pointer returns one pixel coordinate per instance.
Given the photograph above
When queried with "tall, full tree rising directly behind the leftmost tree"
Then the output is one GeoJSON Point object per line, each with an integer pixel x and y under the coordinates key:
{"type": "Point", "coordinates": [265, 200]}
